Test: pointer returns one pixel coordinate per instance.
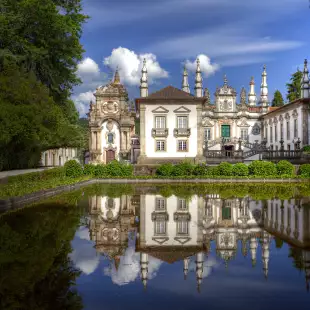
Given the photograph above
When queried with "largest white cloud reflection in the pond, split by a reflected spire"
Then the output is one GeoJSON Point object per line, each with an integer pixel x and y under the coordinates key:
{"type": "Point", "coordinates": [129, 268]}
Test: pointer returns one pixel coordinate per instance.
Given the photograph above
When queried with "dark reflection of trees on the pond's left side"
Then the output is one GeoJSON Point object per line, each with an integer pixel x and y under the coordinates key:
{"type": "Point", "coordinates": [35, 271]}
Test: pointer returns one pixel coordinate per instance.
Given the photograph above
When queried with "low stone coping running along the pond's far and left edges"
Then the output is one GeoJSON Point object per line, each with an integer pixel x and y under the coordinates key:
{"type": "Point", "coordinates": [17, 202]}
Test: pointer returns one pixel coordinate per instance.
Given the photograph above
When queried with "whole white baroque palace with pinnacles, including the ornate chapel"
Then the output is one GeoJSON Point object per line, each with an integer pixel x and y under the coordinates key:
{"type": "Point", "coordinates": [177, 125]}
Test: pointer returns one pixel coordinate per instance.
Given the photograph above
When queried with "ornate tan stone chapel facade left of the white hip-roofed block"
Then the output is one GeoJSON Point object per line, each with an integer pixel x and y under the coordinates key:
{"type": "Point", "coordinates": [111, 123]}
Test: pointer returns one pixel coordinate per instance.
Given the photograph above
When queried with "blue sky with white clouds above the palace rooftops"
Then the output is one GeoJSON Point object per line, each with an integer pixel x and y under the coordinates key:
{"type": "Point", "coordinates": [232, 37]}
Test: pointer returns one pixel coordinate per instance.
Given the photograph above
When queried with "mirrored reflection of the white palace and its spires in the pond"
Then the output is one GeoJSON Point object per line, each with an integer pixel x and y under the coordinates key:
{"type": "Point", "coordinates": [173, 229]}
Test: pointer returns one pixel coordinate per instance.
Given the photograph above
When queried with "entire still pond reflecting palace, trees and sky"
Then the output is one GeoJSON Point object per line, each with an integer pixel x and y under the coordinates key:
{"type": "Point", "coordinates": [127, 247]}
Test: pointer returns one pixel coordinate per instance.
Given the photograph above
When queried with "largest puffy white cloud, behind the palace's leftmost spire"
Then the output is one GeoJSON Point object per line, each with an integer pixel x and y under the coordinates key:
{"type": "Point", "coordinates": [130, 65]}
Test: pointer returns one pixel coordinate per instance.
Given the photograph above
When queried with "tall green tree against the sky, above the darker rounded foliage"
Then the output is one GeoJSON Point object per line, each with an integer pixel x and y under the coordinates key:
{"type": "Point", "coordinates": [43, 37]}
